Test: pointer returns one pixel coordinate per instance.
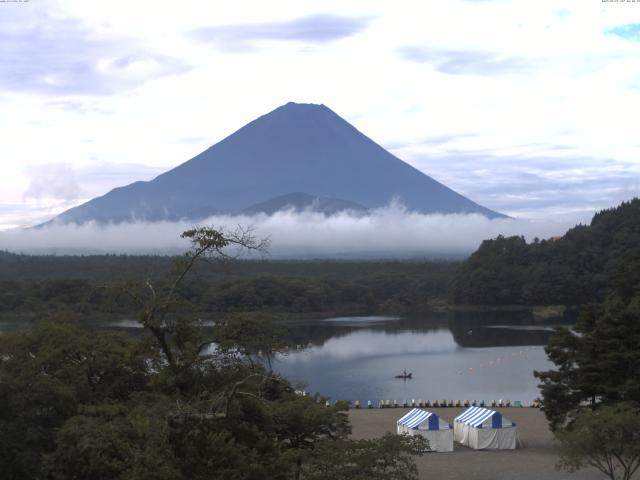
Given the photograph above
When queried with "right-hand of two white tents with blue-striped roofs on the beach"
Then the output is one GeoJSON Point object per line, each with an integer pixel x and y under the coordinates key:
{"type": "Point", "coordinates": [480, 428]}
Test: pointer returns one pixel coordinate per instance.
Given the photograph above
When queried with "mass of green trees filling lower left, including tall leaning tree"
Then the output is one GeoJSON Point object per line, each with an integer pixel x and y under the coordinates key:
{"type": "Point", "coordinates": [176, 403]}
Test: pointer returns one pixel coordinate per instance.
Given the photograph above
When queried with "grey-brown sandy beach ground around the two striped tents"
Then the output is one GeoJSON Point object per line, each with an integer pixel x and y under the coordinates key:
{"type": "Point", "coordinates": [535, 461]}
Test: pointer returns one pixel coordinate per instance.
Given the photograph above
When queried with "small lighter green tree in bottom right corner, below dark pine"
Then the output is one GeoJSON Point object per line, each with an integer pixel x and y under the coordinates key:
{"type": "Point", "coordinates": [607, 439]}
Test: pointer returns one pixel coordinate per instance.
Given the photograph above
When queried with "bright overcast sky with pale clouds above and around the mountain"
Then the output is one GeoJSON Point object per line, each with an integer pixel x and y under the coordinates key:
{"type": "Point", "coordinates": [529, 107]}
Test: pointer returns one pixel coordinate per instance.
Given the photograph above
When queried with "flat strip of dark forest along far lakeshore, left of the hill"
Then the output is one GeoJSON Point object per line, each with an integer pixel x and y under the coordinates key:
{"type": "Point", "coordinates": [30, 285]}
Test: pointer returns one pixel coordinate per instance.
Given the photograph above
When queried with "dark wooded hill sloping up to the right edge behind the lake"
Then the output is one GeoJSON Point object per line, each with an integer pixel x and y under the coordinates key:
{"type": "Point", "coordinates": [575, 269]}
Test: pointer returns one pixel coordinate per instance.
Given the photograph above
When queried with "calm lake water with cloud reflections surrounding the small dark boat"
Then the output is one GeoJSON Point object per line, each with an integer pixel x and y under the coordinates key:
{"type": "Point", "coordinates": [457, 357]}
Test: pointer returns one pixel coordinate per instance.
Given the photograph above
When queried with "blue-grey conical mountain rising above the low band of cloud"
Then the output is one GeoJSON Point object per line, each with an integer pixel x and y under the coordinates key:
{"type": "Point", "coordinates": [295, 148]}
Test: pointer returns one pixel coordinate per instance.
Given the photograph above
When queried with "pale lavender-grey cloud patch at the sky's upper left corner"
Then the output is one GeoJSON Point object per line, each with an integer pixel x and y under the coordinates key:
{"type": "Point", "coordinates": [58, 55]}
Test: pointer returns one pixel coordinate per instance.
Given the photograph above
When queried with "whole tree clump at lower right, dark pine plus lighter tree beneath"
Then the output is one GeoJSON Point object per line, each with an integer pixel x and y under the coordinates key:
{"type": "Point", "coordinates": [592, 398]}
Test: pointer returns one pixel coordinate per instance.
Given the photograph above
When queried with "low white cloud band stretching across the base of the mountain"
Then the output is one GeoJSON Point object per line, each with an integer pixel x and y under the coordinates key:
{"type": "Point", "coordinates": [387, 232]}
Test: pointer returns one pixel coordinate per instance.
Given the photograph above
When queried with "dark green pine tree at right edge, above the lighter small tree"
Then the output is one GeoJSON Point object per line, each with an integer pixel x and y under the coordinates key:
{"type": "Point", "coordinates": [597, 362]}
